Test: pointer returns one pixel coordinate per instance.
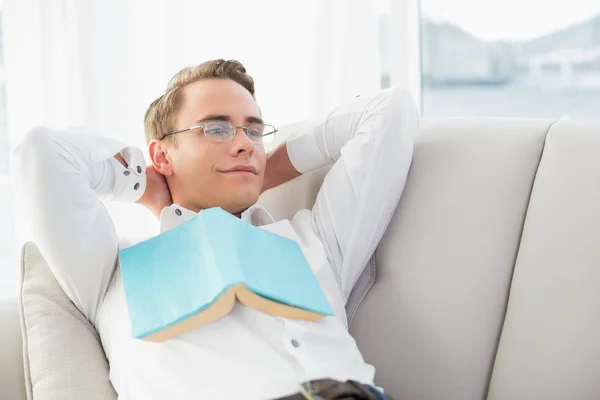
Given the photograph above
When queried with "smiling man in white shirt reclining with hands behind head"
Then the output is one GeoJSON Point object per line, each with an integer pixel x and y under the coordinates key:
{"type": "Point", "coordinates": [205, 139]}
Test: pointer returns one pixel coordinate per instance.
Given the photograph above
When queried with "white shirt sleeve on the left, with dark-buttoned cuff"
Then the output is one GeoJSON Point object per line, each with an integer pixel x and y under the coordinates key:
{"type": "Point", "coordinates": [60, 179]}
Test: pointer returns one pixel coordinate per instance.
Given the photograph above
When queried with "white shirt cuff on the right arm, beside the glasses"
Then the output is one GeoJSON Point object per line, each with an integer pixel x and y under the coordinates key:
{"type": "Point", "coordinates": [304, 152]}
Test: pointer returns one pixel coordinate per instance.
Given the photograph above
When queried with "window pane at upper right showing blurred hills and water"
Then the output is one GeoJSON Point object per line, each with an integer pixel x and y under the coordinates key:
{"type": "Point", "coordinates": [526, 58]}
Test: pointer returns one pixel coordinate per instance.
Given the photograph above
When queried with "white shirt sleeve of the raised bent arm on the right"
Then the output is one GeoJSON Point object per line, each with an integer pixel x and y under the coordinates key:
{"type": "Point", "coordinates": [369, 141]}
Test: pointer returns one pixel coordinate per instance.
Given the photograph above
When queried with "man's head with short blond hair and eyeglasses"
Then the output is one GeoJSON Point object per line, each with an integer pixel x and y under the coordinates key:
{"type": "Point", "coordinates": [203, 172]}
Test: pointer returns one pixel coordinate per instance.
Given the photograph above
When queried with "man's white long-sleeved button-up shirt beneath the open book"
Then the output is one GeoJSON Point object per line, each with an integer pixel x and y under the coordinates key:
{"type": "Point", "coordinates": [61, 177]}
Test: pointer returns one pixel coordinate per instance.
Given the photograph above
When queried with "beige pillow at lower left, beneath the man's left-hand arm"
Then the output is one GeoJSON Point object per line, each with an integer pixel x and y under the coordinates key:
{"type": "Point", "coordinates": [63, 356]}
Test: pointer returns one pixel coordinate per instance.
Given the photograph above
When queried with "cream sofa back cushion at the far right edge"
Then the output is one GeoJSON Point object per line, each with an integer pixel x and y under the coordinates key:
{"type": "Point", "coordinates": [549, 346]}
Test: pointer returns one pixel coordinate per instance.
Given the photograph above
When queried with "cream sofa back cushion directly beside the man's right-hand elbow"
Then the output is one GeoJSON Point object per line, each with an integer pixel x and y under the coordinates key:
{"type": "Point", "coordinates": [431, 322]}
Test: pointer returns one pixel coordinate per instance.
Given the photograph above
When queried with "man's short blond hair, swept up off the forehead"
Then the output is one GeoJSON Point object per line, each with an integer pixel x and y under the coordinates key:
{"type": "Point", "coordinates": [162, 112]}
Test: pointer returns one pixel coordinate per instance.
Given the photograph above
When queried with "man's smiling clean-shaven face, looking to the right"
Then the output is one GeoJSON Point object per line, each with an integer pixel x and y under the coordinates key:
{"type": "Point", "coordinates": [206, 173]}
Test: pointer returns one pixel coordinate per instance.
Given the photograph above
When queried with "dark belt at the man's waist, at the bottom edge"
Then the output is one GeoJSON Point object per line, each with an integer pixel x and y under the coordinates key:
{"type": "Point", "coordinates": [329, 389]}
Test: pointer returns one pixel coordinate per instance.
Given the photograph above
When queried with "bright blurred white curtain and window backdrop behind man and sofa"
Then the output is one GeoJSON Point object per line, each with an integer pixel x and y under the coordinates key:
{"type": "Point", "coordinates": [99, 64]}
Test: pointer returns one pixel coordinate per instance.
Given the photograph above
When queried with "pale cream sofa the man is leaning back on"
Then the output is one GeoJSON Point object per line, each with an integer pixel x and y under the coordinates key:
{"type": "Point", "coordinates": [488, 279]}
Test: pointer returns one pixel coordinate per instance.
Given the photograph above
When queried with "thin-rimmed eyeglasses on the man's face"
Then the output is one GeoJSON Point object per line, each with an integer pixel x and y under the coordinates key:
{"type": "Point", "coordinates": [222, 131]}
